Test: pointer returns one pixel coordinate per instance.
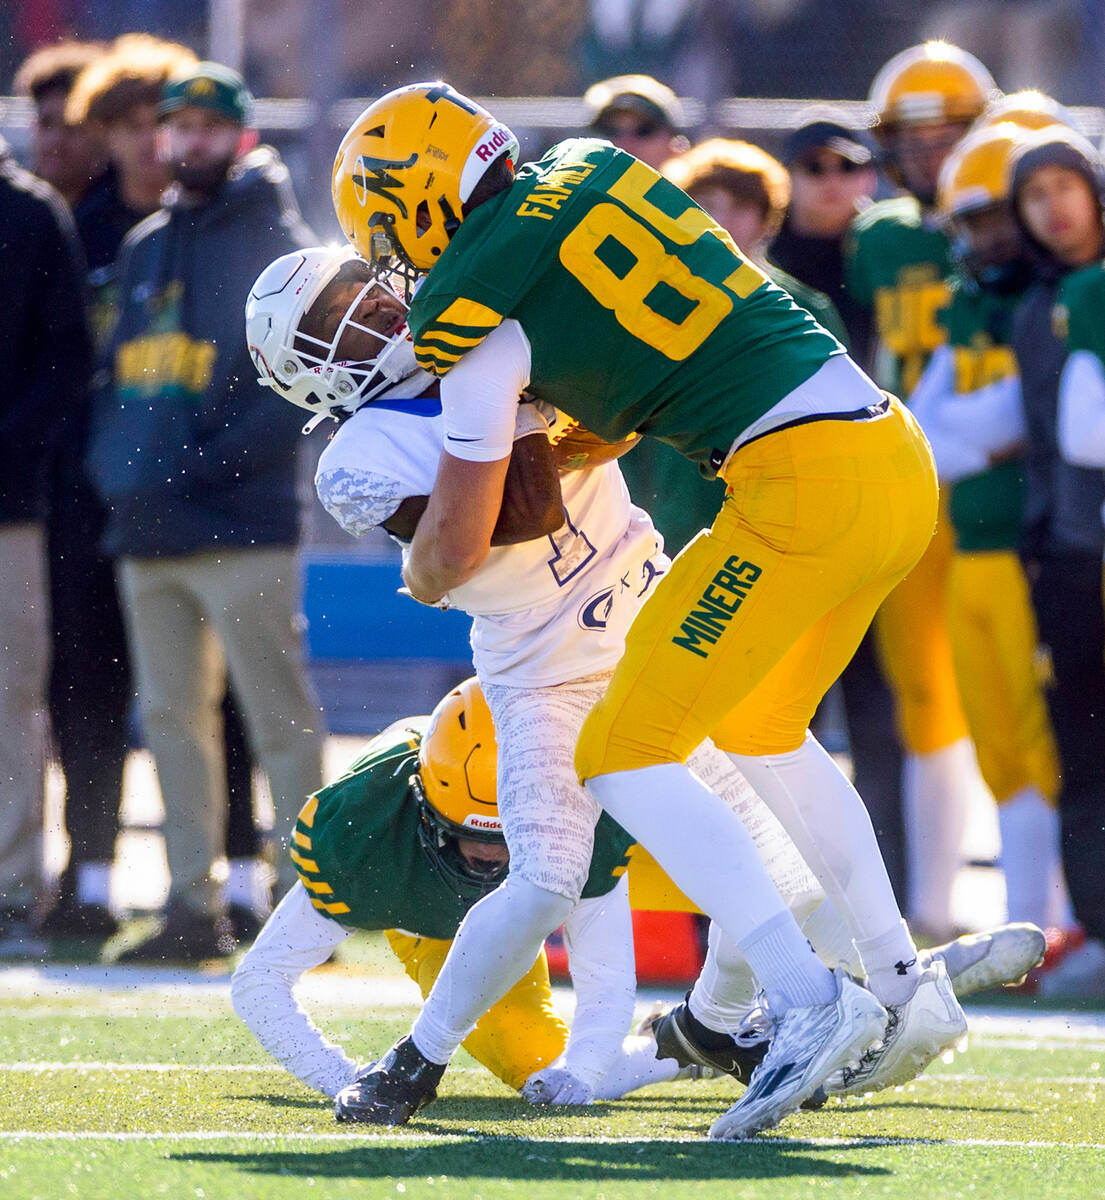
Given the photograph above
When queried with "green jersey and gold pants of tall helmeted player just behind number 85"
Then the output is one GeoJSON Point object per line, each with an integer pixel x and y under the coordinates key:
{"type": "Point", "coordinates": [898, 265]}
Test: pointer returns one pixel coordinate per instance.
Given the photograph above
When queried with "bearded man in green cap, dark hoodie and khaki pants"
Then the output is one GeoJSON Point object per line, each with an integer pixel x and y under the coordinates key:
{"type": "Point", "coordinates": [197, 471]}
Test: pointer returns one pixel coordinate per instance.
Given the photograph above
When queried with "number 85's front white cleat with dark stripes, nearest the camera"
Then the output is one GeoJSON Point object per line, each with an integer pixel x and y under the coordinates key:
{"type": "Point", "coordinates": [809, 1045]}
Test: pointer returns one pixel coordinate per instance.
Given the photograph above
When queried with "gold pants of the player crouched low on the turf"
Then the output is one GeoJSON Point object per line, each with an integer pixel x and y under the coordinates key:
{"type": "Point", "coordinates": [514, 1039]}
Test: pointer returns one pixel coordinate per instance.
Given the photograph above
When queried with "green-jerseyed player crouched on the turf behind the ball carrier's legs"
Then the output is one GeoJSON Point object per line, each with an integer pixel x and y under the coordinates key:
{"type": "Point", "coordinates": [406, 842]}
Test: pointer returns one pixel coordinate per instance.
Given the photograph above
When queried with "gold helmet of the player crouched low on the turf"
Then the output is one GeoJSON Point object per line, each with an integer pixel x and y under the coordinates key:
{"type": "Point", "coordinates": [457, 788]}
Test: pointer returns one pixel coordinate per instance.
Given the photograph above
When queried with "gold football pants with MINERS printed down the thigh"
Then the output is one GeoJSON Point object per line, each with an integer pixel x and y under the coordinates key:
{"type": "Point", "coordinates": [760, 614]}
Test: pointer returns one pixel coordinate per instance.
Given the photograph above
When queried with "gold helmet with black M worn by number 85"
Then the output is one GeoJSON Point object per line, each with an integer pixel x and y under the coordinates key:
{"type": "Point", "coordinates": [406, 169]}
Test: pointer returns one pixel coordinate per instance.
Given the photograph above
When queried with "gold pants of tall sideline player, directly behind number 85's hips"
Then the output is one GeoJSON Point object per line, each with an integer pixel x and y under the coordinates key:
{"type": "Point", "coordinates": [915, 646]}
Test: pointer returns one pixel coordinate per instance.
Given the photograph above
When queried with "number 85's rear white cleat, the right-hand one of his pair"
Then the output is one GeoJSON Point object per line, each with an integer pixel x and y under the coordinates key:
{"type": "Point", "coordinates": [927, 1025]}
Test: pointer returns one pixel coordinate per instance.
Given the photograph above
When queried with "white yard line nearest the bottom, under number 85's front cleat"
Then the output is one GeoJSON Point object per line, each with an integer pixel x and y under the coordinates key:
{"type": "Point", "coordinates": [445, 1139]}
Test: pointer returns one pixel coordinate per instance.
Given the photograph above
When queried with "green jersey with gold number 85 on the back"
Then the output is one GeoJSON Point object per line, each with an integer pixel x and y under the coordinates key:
{"type": "Point", "coordinates": [640, 313]}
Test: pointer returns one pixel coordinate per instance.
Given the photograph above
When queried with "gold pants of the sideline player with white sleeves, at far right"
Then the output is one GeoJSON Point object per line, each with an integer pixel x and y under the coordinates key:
{"type": "Point", "coordinates": [995, 644]}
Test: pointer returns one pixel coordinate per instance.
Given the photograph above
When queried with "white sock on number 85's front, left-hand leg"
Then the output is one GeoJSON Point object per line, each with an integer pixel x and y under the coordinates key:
{"type": "Point", "coordinates": [711, 856]}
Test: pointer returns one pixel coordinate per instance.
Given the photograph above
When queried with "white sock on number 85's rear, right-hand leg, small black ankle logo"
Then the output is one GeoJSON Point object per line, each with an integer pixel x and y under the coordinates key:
{"type": "Point", "coordinates": [831, 827]}
